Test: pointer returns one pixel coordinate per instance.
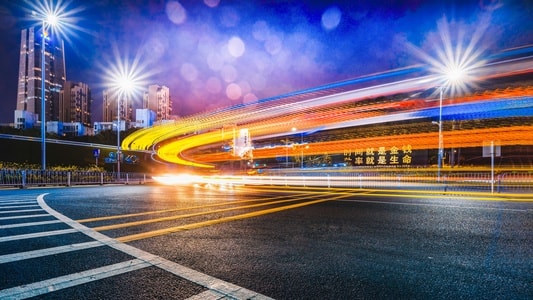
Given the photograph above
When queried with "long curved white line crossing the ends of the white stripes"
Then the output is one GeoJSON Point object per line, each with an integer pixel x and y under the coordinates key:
{"type": "Point", "coordinates": [229, 290]}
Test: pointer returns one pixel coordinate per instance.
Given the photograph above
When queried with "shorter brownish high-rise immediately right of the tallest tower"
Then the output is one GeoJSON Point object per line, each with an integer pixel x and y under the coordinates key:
{"type": "Point", "coordinates": [75, 103]}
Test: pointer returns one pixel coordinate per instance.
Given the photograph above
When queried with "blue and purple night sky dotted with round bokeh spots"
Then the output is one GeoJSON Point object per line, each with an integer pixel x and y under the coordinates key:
{"type": "Point", "coordinates": [216, 53]}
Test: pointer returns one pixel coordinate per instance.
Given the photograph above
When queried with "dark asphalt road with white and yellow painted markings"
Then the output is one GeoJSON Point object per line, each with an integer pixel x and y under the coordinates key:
{"type": "Point", "coordinates": [185, 242]}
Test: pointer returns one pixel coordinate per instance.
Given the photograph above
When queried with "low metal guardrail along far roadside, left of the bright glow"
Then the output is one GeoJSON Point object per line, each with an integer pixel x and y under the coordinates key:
{"type": "Point", "coordinates": [28, 178]}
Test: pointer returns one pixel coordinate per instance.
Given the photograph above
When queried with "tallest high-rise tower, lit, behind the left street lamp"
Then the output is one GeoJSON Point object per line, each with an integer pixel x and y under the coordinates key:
{"type": "Point", "coordinates": [29, 82]}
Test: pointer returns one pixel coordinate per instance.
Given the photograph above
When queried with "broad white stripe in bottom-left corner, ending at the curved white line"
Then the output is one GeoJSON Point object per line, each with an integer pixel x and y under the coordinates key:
{"type": "Point", "coordinates": [62, 282]}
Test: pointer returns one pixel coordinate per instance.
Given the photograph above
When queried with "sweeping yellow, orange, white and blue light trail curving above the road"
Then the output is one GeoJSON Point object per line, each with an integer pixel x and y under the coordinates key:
{"type": "Point", "coordinates": [177, 142]}
